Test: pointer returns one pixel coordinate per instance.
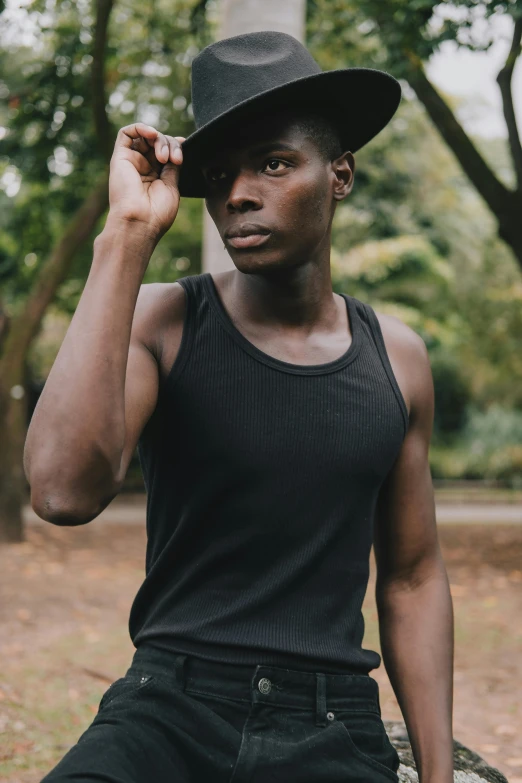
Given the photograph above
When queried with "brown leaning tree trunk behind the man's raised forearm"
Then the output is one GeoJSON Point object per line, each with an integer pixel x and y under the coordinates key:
{"type": "Point", "coordinates": [20, 333]}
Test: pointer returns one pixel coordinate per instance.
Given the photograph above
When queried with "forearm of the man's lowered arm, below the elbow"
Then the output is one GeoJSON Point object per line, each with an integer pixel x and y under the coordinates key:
{"type": "Point", "coordinates": [417, 640]}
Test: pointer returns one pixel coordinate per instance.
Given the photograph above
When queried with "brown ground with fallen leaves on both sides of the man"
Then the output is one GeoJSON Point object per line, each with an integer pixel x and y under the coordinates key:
{"type": "Point", "coordinates": [65, 600]}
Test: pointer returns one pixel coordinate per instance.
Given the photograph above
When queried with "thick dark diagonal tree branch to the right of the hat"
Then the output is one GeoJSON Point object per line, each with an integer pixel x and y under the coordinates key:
{"type": "Point", "coordinates": [494, 193]}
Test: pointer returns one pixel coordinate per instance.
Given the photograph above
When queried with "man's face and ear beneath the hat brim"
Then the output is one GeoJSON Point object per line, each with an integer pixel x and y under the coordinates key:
{"type": "Point", "coordinates": [273, 183]}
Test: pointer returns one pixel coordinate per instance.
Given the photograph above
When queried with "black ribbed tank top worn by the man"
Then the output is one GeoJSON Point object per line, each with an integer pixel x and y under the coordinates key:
{"type": "Point", "coordinates": [262, 478]}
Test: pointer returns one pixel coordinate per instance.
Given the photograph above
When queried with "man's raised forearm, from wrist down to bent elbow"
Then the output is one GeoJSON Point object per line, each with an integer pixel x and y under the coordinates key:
{"type": "Point", "coordinates": [76, 435]}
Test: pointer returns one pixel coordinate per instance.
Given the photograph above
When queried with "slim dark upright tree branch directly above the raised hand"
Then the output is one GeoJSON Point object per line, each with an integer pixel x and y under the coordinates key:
{"type": "Point", "coordinates": [104, 131]}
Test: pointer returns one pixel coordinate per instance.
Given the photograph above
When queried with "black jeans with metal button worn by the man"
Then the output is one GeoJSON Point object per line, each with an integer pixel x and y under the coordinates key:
{"type": "Point", "coordinates": [180, 719]}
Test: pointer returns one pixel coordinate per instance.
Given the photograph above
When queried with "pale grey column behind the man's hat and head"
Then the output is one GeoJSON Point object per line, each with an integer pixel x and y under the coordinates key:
{"type": "Point", "coordinates": [248, 16]}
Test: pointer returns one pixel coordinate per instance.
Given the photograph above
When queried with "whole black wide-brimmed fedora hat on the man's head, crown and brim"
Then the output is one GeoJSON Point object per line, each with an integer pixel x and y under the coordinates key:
{"type": "Point", "coordinates": [254, 73]}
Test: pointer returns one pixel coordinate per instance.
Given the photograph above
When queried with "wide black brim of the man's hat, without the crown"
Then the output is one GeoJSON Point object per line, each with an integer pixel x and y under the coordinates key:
{"type": "Point", "coordinates": [360, 100]}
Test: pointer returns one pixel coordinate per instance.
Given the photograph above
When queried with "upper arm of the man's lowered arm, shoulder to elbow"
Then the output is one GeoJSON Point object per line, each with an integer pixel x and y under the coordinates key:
{"type": "Point", "coordinates": [405, 530]}
